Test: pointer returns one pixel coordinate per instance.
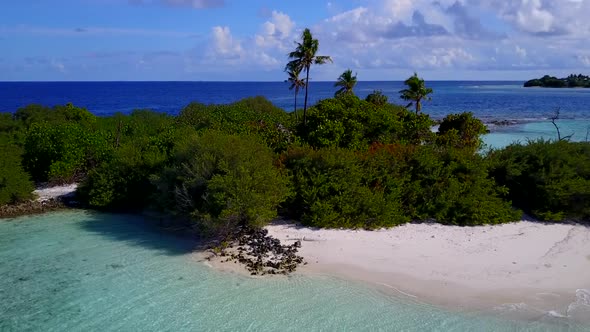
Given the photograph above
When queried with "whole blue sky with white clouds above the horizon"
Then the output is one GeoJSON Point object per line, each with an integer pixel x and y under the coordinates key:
{"type": "Point", "coordinates": [248, 40]}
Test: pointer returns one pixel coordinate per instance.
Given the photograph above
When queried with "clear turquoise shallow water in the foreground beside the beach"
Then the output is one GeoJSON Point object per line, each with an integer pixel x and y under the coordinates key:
{"type": "Point", "coordinates": [84, 271]}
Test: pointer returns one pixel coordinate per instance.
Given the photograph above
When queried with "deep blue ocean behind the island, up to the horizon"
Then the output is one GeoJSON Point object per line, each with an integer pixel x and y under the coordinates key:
{"type": "Point", "coordinates": [487, 100]}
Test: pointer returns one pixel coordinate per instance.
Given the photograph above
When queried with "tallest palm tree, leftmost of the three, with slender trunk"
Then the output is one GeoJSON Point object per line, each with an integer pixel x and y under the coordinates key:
{"type": "Point", "coordinates": [303, 57]}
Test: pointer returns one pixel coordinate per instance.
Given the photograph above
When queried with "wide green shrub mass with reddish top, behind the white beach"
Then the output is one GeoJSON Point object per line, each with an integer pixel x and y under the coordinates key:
{"type": "Point", "coordinates": [392, 184]}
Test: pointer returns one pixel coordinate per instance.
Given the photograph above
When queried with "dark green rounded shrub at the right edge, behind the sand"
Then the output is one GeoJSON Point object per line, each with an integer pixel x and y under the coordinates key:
{"type": "Point", "coordinates": [550, 180]}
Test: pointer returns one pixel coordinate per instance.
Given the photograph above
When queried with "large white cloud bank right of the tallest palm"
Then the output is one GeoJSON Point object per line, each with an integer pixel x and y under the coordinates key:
{"type": "Point", "coordinates": [515, 35]}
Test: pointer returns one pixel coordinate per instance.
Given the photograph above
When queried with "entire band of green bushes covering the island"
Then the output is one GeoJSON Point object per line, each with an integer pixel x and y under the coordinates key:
{"type": "Point", "coordinates": [356, 164]}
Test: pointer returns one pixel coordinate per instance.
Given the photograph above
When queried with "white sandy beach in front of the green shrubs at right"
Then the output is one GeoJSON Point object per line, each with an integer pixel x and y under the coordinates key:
{"type": "Point", "coordinates": [536, 268]}
